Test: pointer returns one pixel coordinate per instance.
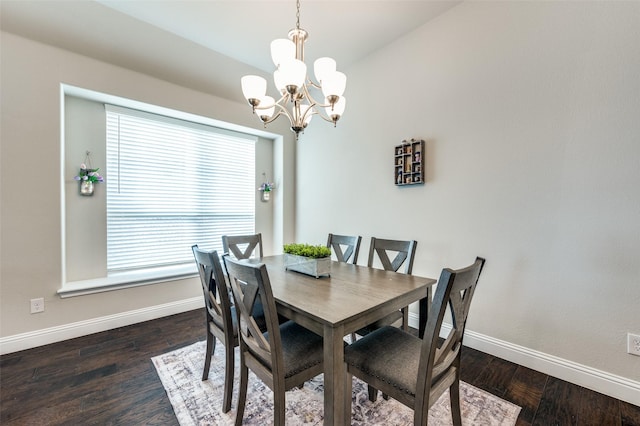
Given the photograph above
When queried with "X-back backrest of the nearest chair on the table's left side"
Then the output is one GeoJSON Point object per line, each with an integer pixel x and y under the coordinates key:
{"type": "Point", "coordinates": [250, 285]}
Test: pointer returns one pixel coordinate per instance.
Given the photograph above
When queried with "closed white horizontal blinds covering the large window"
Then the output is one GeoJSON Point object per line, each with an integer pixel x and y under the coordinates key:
{"type": "Point", "coordinates": [171, 184]}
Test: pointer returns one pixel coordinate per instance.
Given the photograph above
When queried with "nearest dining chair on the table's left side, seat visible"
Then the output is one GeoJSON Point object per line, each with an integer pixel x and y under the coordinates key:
{"type": "Point", "coordinates": [285, 356]}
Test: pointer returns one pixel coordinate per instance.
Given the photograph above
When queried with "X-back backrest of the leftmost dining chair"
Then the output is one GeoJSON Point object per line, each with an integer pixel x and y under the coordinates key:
{"type": "Point", "coordinates": [214, 287]}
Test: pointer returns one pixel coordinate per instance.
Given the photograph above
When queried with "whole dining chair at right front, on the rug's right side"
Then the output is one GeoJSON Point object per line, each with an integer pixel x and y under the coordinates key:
{"type": "Point", "coordinates": [417, 371]}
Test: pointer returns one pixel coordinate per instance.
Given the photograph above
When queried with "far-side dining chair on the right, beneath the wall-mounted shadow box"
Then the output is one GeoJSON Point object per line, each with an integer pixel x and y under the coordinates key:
{"type": "Point", "coordinates": [405, 252]}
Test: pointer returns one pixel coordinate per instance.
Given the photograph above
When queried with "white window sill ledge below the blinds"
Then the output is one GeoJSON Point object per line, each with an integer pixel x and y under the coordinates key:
{"type": "Point", "coordinates": [121, 280]}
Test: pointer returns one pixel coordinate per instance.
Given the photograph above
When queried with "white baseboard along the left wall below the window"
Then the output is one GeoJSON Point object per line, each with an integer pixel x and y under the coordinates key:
{"type": "Point", "coordinates": [59, 333]}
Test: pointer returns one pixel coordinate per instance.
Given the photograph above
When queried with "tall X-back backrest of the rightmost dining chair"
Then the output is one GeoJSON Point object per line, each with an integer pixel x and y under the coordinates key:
{"type": "Point", "coordinates": [440, 363]}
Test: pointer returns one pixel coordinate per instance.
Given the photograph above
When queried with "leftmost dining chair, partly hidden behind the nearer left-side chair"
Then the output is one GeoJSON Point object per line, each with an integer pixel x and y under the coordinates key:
{"type": "Point", "coordinates": [220, 316]}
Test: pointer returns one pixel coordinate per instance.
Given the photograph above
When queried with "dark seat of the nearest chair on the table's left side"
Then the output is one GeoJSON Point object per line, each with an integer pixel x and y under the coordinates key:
{"type": "Point", "coordinates": [301, 348]}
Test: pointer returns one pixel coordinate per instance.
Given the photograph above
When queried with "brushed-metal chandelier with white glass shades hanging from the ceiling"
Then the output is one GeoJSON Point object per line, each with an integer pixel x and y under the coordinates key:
{"type": "Point", "coordinates": [291, 81]}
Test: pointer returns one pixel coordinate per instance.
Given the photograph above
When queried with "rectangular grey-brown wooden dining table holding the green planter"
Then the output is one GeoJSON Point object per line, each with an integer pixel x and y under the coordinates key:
{"type": "Point", "coordinates": [334, 306]}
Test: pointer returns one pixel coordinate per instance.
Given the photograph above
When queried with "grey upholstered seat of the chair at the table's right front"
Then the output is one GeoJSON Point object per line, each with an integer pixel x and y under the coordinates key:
{"type": "Point", "coordinates": [390, 354]}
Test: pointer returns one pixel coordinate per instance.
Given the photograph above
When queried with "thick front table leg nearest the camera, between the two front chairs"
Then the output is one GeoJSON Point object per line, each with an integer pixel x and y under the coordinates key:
{"type": "Point", "coordinates": [334, 377]}
